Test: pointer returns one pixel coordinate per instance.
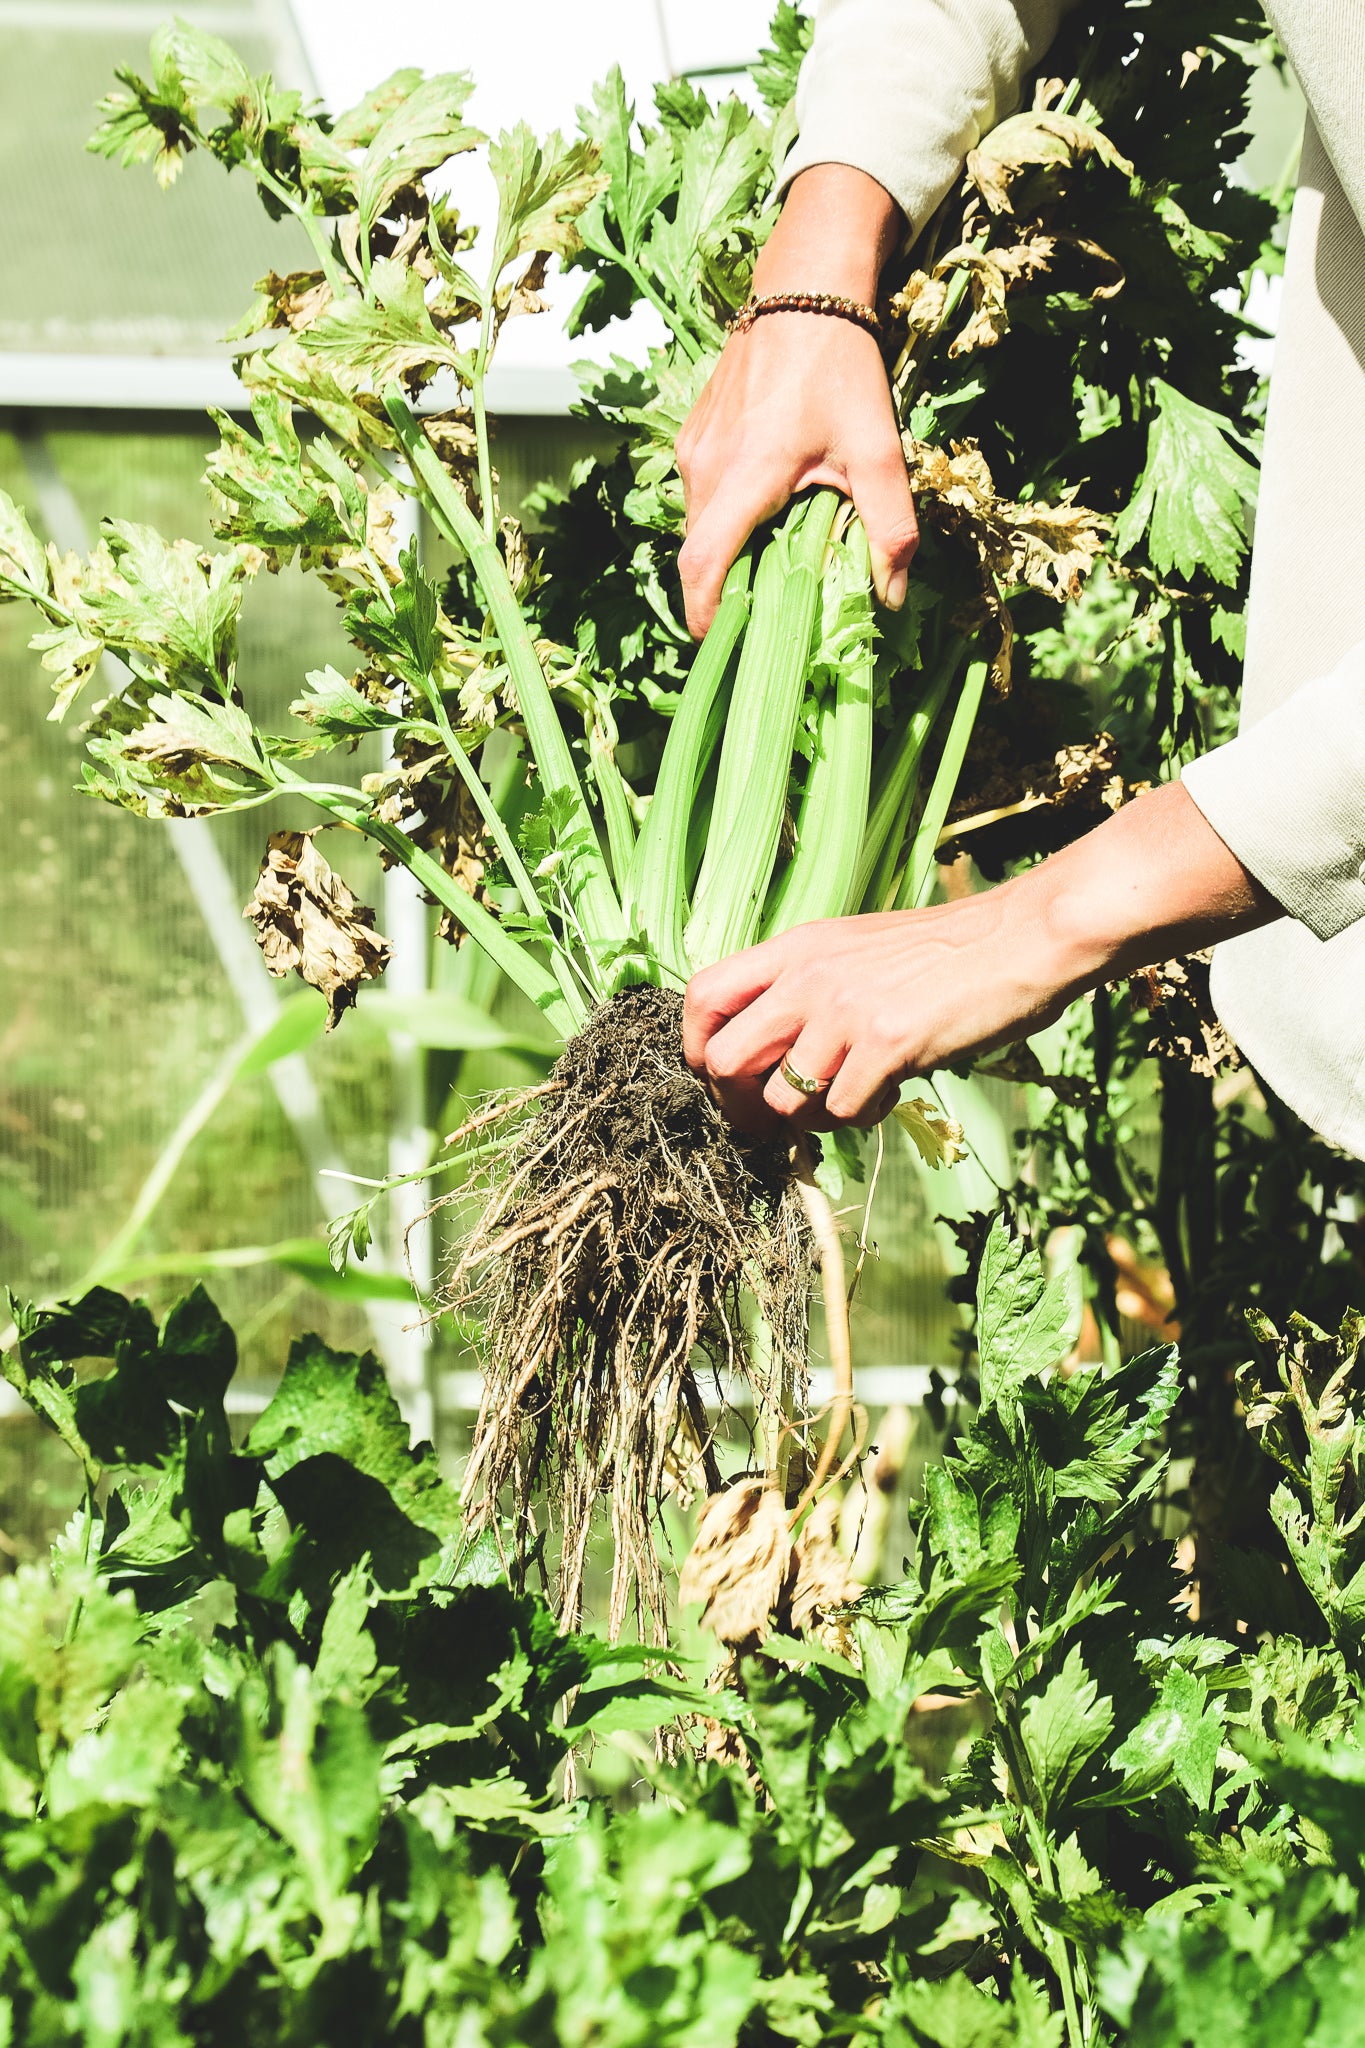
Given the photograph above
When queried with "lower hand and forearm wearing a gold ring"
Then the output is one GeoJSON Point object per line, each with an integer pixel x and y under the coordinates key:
{"type": "Point", "coordinates": [863, 1005]}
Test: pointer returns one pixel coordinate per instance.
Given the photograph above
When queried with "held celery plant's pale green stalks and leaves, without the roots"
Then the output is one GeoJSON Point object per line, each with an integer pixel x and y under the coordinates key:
{"type": "Point", "coordinates": [797, 726]}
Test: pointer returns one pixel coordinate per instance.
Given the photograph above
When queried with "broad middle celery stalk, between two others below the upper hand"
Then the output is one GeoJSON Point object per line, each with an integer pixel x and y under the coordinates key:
{"type": "Point", "coordinates": [756, 761]}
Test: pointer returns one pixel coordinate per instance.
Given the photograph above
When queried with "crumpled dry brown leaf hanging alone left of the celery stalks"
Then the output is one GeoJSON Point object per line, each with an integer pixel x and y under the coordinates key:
{"type": "Point", "coordinates": [310, 923]}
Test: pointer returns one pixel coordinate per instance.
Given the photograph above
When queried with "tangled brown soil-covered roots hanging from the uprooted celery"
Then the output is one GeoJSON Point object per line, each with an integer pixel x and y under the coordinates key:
{"type": "Point", "coordinates": [609, 1265]}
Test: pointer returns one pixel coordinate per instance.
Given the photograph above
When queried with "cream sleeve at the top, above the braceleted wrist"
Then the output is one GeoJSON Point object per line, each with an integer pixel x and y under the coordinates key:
{"type": "Point", "coordinates": [904, 89]}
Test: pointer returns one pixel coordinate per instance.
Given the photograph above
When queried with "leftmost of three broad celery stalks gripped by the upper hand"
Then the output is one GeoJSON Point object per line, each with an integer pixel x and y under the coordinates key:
{"type": "Point", "coordinates": [658, 884]}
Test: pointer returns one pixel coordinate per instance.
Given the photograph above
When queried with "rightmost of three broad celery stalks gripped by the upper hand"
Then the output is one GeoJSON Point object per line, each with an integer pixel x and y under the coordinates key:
{"type": "Point", "coordinates": [834, 810]}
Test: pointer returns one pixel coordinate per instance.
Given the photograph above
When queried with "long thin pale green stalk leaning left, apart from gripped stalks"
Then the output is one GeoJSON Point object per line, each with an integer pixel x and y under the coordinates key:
{"type": "Point", "coordinates": [590, 882]}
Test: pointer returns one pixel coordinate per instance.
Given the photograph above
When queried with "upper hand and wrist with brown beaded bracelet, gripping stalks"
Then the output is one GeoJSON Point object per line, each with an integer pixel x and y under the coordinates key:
{"type": "Point", "coordinates": [801, 398]}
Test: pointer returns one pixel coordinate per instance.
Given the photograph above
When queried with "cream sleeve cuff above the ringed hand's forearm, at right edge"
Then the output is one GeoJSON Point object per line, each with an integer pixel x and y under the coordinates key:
{"type": "Point", "coordinates": [1288, 798]}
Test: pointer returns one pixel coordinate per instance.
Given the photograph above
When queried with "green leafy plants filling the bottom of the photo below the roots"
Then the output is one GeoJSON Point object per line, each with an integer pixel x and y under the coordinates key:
{"type": "Point", "coordinates": [281, 1758]}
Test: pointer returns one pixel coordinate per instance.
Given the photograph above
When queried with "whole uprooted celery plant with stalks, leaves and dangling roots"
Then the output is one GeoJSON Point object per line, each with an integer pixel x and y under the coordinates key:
{"type": "Point", "coordinates": [785, 757]}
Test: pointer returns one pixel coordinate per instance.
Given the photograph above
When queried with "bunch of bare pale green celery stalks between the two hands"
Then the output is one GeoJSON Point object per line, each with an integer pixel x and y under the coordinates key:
{"type": "Point", "coordinates": [775, 806]}
